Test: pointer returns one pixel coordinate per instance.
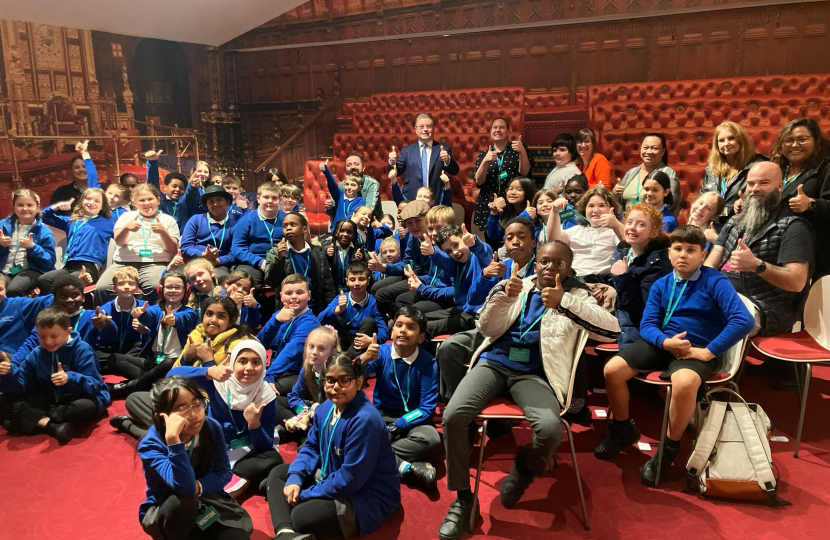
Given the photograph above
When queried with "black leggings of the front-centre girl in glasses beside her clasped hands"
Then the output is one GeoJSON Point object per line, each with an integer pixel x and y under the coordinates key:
{"type": "Point", "coordinates": [316, 516]}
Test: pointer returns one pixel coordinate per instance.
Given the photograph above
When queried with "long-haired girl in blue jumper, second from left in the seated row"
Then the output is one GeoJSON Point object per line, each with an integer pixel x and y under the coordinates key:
{"type": "Point", "coordinates": [88, 229]}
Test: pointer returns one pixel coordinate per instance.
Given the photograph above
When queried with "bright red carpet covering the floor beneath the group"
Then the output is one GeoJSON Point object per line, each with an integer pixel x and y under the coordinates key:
{"type": "Point", "coordinates": [91, 488]}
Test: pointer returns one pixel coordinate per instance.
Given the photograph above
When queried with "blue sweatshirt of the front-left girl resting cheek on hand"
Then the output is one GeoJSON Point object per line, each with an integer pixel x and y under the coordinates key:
{"type": "Point", "coordinates": [167, 469]}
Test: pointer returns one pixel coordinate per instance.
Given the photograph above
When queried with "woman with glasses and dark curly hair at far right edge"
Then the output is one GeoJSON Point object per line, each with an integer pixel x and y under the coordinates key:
{"type": "Point", "coordinates": [804, 157]}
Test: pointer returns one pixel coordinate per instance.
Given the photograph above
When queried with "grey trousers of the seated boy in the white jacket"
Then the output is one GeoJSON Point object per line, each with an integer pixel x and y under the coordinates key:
{"type": "Point", "coordinates": [484, 383]}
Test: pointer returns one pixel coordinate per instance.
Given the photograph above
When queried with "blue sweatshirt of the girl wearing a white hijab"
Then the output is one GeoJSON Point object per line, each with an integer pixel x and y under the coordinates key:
{"type": "Point", "coordinates": [234, 425]}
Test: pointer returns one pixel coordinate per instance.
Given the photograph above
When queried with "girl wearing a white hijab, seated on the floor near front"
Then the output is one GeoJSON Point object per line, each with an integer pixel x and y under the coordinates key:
{"type": "Point", "coordinates": [246, 408]}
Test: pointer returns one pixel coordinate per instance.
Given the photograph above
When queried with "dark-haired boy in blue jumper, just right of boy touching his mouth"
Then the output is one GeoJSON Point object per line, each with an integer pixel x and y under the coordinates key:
{"type": "Point", "coordinates": [355, 315]}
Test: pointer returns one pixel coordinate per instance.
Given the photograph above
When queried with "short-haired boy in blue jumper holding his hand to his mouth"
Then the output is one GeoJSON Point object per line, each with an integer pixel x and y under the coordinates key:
{"type": "Point", "coordinates": [286, 333]}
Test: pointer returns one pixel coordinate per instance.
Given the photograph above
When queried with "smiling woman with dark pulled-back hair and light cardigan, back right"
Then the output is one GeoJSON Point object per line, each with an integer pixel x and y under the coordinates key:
{"type": "Point", "coordinates": [654, 156]}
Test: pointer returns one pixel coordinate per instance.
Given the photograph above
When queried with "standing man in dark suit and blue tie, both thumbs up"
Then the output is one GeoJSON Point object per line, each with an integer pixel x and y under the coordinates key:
{"type": "Point", "coordinates": [422, 159]}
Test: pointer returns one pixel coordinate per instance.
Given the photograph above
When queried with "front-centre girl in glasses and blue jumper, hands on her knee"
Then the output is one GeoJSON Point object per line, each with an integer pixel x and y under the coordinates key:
{"type": "Point", "coordinates": [344, 481]}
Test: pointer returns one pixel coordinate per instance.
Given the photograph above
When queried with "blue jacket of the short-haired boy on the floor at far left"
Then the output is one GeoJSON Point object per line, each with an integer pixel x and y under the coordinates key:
{"type": "Point", "coordinates": [79, 362]}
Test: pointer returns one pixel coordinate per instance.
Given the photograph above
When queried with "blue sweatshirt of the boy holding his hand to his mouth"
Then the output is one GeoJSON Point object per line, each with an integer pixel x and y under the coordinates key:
{"type": "Point", "coordinates": [286, 341]}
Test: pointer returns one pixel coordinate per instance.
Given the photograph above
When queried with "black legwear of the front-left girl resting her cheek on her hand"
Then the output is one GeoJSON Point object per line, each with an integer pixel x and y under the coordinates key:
{"type": "Point", "coordinates": [177, 521]}
